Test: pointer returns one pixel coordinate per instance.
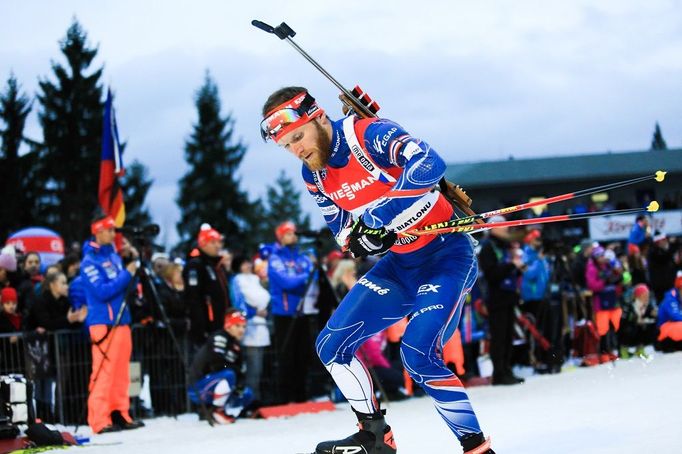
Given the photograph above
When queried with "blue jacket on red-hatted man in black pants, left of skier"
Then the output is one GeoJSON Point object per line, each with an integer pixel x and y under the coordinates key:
{"type": "Point", "coordinates": [288, 273]}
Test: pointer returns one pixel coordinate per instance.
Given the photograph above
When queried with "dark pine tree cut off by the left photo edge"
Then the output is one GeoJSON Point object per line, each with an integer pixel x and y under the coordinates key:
{"type": "Point", "coordinates": [17, 184]}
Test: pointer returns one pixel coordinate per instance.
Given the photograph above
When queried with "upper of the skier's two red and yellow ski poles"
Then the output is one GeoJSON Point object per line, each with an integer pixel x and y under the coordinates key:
{"type": "Point", "coordinates": [659, 176]}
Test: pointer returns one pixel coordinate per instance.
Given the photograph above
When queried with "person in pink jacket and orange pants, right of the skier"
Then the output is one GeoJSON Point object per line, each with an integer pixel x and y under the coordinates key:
{"type": "Point", "coordinates": [602, 279]}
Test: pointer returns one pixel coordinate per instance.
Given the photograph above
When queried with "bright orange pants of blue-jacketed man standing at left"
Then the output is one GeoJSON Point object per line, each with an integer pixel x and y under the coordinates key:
{"type": "Point", "coordinates": [110, 390]}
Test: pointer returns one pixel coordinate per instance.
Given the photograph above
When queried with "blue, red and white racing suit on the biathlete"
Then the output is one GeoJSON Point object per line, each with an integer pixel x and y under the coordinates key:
{"type": "Point", "coordinates": [378, 171]}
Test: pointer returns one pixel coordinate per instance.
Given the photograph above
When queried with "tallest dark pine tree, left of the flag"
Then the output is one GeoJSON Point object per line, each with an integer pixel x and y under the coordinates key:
{"type": "Point", "coordinates": [71, 117]}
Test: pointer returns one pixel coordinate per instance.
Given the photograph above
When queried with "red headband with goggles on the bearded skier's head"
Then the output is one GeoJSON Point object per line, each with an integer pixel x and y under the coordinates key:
{"type": "Point", "coordinates": [289, 115]}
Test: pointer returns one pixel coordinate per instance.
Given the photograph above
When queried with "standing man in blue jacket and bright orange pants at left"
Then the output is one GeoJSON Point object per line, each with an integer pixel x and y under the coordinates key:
{"type": "Point", "coordinates": [105, 281]}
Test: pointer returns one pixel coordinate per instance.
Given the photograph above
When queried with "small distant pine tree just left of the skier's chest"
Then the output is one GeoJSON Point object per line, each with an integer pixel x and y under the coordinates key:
{"type": "Point", "coordinates": [284, 204]}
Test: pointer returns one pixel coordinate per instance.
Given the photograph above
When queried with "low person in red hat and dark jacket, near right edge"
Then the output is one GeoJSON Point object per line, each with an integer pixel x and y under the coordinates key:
{"type": "Point", "coordinates": [638, 324]}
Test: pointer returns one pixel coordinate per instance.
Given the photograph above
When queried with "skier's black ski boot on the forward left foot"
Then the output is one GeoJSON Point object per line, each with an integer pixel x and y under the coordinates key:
{"type": "Point", "coordinates": [374, 437]}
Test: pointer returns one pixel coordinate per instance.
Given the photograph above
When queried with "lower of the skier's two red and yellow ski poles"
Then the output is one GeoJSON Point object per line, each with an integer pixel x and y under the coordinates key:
{"type": "Point", "coordinates": [443, 227]}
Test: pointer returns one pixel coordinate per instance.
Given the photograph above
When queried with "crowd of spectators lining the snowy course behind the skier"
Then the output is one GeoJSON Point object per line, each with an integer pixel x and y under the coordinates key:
{"type": "Point", "coordinates": [539, 303]}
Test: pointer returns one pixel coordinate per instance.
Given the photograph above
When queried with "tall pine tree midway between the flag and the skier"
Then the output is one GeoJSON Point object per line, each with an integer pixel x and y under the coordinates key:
{"type": "Point", "coordinates": [210, 191]}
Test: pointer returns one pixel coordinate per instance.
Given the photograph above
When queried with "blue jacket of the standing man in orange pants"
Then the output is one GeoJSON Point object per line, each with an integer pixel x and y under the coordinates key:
{"type": "Point", "coordinates": [105, 282]}
